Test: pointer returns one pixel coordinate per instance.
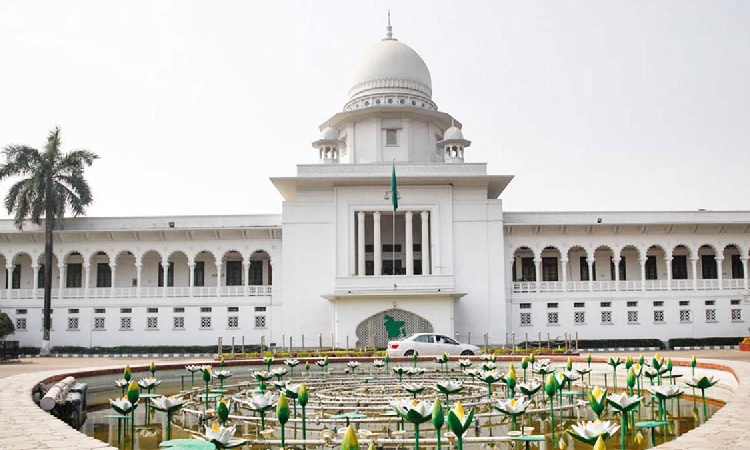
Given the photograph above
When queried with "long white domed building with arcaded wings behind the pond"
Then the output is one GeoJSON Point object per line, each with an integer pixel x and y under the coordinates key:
{"type": "Point", "coordinates": [325, 266]}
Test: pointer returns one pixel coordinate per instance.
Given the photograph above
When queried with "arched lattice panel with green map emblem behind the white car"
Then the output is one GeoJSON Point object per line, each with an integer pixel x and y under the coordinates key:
{"type": "Point", "coordinates": [391, 324]}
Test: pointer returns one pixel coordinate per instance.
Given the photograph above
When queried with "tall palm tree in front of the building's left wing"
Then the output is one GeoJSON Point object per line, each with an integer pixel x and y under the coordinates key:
{"type": "Point", "coordinates": [52, 182]}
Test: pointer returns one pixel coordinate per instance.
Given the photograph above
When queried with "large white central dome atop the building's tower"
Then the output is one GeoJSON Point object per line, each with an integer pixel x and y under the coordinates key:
{"type": "Point", "coordinates": [390, 67]}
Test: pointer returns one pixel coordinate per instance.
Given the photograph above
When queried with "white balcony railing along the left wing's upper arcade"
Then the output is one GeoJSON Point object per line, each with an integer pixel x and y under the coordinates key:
{"type": "Point", "coordinates": [143, 292]}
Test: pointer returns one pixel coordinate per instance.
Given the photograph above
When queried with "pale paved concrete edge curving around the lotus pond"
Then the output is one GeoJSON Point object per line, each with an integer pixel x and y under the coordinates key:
{"type": "Point", "coordinates": [26, 426]}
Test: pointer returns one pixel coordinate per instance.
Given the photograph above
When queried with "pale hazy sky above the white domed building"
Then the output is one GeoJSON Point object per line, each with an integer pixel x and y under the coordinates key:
{"type": "Point", "coordinates": [192, 106]}
